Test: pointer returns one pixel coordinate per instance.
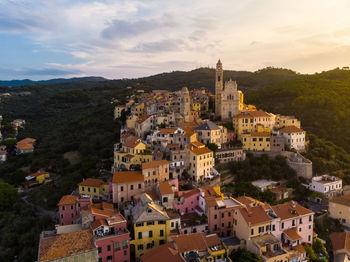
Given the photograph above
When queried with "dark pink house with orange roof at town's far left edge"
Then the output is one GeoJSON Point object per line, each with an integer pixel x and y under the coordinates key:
{"type": "Point", "coordinates": [69, 209]}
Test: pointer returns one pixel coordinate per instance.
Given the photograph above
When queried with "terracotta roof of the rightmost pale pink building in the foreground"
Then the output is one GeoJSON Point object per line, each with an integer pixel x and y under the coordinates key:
{"type": "Point", "coordinates": [290, 210]}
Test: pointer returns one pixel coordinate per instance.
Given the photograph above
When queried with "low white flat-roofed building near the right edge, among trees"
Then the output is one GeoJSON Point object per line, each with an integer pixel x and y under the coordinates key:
{"type": "Point", "coordinates": [329, 186]}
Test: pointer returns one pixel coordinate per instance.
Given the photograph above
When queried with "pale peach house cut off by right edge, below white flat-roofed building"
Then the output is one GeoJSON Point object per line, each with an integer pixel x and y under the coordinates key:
{"type": "Point", "coordinates": [339, 208]}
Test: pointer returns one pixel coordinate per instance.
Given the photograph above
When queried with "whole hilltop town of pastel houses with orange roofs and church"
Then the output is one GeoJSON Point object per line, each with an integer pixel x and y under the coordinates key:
{"type": "Point", "coordinates": [164, 199]}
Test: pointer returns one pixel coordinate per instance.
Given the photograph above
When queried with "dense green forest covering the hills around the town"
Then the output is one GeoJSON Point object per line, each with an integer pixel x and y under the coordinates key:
{"type": "Point", "coordinates": [72, 122]}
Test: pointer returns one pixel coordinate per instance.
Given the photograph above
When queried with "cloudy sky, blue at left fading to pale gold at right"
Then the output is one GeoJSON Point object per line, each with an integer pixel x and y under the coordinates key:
{"type": "Point", "coordinates": [44, 39]}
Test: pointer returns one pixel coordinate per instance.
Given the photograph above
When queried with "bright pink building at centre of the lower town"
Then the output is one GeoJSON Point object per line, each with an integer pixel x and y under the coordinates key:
{"type": "Point", "coordinates": [187, 201]}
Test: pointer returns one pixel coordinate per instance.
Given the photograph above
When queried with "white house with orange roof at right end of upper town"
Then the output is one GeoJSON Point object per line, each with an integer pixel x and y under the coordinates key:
{"type": "Point", "coordinates": [294, 137]}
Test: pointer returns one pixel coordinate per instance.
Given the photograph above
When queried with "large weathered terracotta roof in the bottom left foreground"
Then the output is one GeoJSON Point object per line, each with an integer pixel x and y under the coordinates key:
{"type": "Point", "coordinates": [60, 246]}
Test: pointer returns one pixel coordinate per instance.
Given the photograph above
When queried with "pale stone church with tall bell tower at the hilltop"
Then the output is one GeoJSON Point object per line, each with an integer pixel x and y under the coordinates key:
{"type": "Point", "coordinates": [228, 99]}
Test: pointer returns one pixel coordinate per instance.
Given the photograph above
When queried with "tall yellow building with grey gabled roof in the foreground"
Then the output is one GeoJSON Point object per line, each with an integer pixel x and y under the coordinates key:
{"type": "Point", "coordinates": [151, 225]}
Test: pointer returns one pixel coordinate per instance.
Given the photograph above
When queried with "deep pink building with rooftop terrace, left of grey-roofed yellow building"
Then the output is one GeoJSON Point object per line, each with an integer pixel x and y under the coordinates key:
{"type": "Point", "coordinates": [111, 236]}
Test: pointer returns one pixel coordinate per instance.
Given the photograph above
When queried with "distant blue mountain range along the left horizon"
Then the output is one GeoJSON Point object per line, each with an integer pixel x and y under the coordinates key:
{"type": "Point", "coordinates": [24, 82]}
